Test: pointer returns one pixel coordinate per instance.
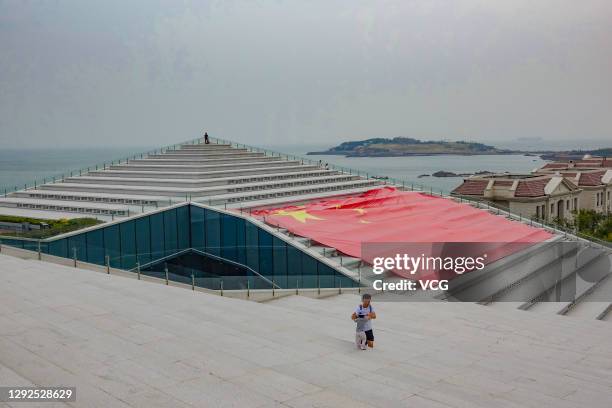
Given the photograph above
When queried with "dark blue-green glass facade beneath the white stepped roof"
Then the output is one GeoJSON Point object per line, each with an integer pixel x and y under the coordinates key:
{"type": "Point", "coordinates": [148, 239]}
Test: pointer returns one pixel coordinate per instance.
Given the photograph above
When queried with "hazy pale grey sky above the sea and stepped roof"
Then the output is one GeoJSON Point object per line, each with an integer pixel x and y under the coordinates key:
{"type": "Point", "coordinates": [157, 72]}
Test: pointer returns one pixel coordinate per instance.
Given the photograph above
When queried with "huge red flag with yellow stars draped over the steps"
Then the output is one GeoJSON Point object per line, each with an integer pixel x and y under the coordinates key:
{"type": "Point", "coordinates": [392, 216]}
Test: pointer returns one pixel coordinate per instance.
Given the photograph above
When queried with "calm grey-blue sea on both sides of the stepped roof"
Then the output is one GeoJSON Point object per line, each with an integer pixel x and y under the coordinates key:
{"type": "Point", "coordinates": [20, 166]}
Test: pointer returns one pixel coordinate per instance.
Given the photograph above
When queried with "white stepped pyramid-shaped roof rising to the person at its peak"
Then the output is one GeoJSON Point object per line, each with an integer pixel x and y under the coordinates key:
{"type": "Point", "coordinates": [214, 174]}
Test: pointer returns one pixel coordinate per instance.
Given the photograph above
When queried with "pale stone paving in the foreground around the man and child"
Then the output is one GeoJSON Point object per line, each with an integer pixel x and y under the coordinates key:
{"type": "Point", "coordinates": [129, 343]}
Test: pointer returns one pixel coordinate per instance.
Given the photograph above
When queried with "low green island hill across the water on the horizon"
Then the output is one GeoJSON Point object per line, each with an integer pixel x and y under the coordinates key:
{"type": "Point", "coordinates": [406, 146]}
